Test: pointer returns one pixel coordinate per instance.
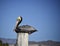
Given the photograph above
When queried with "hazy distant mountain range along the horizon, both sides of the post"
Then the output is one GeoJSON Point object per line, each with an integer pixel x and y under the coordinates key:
{"type": "Point", "coordinates": [49, 42]}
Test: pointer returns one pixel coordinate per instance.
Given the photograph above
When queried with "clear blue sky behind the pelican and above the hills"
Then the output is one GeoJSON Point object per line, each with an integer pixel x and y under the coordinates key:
{"type": "Point", "coordinates": [44, 15]}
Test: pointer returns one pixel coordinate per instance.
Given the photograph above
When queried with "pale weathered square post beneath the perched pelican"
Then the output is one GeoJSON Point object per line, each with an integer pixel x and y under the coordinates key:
{"type": "Point", "coordinates": [22, 39]}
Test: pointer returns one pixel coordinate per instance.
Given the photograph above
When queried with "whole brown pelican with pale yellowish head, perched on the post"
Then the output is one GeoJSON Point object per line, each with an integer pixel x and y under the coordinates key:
{"type": "Point", "coordinates": [25, 28]}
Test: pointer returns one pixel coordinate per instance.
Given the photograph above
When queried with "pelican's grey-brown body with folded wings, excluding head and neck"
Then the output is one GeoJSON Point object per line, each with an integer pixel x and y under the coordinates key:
{"type": "Point", "coordinates": [25, 29]}
